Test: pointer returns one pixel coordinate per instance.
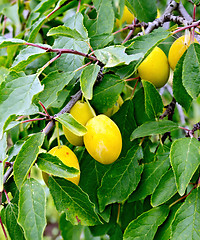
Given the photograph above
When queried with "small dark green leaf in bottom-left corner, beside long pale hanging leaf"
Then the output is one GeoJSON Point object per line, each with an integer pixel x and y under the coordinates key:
{"type": "Point", "coordinates": [9, 218]}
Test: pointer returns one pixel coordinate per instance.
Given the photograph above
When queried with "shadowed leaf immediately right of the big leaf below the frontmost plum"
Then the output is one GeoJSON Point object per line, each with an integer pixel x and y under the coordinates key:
{"type": "Point", "coordinates": [151, 175]}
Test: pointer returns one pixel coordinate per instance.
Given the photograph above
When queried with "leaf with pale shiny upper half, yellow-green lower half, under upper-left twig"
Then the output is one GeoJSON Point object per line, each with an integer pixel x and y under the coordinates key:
{"type": "Point", "coordinates": [25, 57]}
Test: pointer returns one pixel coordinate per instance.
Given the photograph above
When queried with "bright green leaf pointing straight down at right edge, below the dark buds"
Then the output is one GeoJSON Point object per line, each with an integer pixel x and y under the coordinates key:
{"type": "Point", "coordinates": [184, 157]}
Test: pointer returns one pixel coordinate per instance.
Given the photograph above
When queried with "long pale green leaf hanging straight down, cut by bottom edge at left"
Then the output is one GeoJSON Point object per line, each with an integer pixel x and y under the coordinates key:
{"type": "Point", "coordinates": [32, 209]}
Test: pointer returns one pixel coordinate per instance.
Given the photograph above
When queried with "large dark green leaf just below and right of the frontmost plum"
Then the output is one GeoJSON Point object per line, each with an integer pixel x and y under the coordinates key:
{"type": "Point", "coordinates": [121, 179]}
